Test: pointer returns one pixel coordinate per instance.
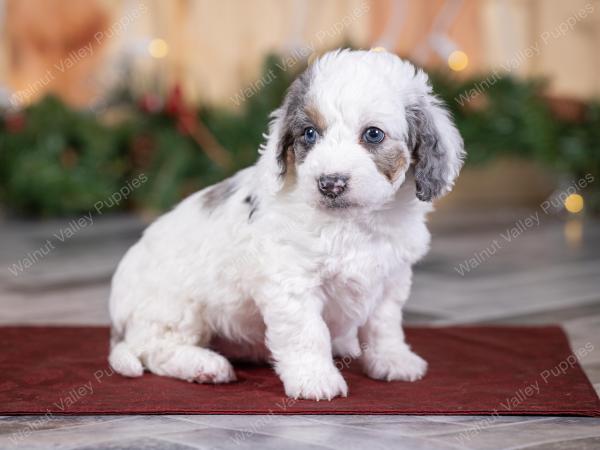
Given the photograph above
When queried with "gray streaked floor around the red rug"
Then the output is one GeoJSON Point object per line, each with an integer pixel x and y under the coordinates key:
{"type": "Point", "coordinates": [548, 274]}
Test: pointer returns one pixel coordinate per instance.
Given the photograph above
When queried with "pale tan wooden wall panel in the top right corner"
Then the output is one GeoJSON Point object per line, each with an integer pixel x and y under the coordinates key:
{"type": "Point", "coordinates": [552, 39]}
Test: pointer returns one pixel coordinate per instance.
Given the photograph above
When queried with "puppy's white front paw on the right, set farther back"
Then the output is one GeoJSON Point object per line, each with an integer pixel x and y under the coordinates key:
{"type": "Point", "coordinates": [401, 365]}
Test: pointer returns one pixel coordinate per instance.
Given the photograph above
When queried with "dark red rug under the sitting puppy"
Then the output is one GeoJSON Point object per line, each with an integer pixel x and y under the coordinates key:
{"type": "Point", "coordinates": [472, 370]}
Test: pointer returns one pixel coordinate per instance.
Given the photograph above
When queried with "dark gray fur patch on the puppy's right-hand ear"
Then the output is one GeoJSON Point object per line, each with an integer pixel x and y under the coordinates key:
{"type": "Point", "coordinates": [431, 159]}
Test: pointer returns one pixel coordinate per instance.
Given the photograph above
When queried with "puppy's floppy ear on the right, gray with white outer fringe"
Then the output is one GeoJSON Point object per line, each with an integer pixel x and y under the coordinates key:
{"type": "Point", "coordinates": [436, 145]}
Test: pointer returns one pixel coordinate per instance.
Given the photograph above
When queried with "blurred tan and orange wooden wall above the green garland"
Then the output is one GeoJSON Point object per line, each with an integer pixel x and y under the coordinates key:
{"type": "Point", "coordinates": [215, 48]}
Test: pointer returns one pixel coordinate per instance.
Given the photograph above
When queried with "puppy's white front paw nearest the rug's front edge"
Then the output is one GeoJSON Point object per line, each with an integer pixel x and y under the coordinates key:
{"type": "Point", "coordinates": [314, 383]}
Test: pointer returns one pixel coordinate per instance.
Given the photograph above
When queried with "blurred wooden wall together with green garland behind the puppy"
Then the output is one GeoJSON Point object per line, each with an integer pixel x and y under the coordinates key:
{"type": "Point", "coordinates": [96, 92]}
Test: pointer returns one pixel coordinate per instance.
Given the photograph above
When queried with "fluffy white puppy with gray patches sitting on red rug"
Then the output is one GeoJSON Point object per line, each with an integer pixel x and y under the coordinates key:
{"type": "Point", "coordinates": [305, 255]}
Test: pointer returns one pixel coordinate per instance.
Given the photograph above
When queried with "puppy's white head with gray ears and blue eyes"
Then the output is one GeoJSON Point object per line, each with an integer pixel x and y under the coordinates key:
{"type": "Point", "coordinates": [354, 124]}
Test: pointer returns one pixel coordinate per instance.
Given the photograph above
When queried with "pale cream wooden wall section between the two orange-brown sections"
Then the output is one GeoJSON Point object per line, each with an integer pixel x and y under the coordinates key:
{"type": "Point", "coordinates": [219, 47]}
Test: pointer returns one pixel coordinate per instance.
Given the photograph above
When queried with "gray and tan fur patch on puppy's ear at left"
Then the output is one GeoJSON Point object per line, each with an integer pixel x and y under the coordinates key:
{"type": "Point", "coordinates": [296, 120]}
